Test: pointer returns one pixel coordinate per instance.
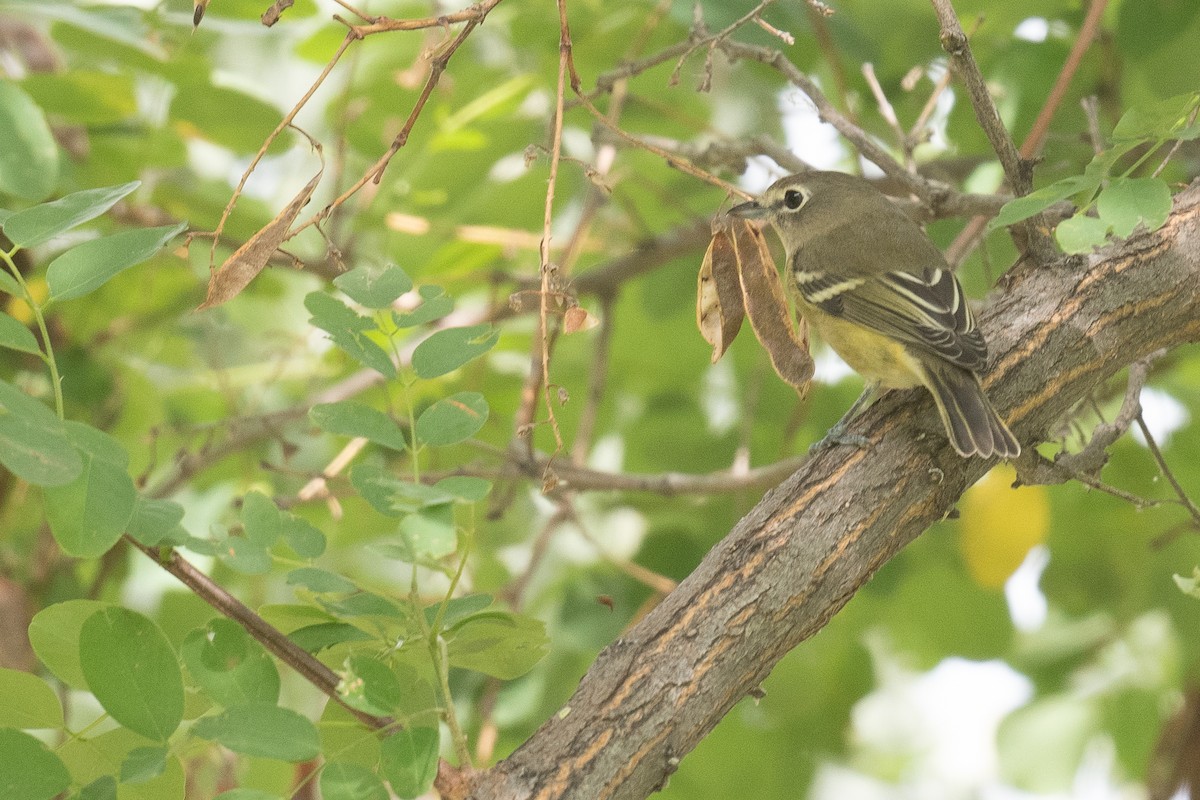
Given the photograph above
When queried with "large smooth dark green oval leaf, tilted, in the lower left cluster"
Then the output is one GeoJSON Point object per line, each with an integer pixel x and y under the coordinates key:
{"type": "Point", "coordinates": [133, 671]}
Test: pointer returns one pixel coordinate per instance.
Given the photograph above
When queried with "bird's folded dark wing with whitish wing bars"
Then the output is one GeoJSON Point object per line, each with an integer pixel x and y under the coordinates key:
{"type": "Point", "coordinates": [925, 310]}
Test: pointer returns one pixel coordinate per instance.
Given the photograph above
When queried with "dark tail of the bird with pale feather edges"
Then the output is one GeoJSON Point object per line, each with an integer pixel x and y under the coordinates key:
{"type": "Point", "coordinates": [971, 423]}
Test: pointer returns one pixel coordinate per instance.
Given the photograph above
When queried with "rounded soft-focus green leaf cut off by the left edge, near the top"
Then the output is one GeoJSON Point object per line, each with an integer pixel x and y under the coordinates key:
{"type": "Point", "coordinates": [29, 159]}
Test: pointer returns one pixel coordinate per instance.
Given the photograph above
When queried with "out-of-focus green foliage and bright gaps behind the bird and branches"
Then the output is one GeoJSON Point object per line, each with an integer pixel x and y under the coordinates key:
{"type": "Point", "coordinates": [1043, 645]}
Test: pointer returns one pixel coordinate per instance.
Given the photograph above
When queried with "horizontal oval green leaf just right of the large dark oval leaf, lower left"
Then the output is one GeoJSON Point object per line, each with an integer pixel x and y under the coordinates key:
{"type": "Point", "coordinates": [262, 730]}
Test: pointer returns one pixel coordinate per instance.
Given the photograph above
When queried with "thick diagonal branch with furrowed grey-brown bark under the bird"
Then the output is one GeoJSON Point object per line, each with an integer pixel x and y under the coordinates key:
{"type": "Point", "coordinates": [1057, 334]}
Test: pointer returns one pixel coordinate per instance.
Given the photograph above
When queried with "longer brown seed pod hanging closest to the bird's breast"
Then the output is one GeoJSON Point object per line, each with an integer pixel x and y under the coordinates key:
{"type": "Point", "coordinates": [766, 305]}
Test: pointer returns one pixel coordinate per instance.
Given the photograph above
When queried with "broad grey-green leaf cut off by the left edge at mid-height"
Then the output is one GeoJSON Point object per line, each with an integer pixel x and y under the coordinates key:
{"type": "Point", "coordinates": [33, 441]}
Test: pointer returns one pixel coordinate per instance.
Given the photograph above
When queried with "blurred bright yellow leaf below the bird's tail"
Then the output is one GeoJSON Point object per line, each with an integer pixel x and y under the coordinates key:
{"type": "Point", "coordinates": [999, 526]}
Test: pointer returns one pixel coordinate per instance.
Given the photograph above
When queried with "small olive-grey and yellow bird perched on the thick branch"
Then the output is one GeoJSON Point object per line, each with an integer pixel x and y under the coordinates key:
{"type": "Point", "coordinates": [881, 294]}
